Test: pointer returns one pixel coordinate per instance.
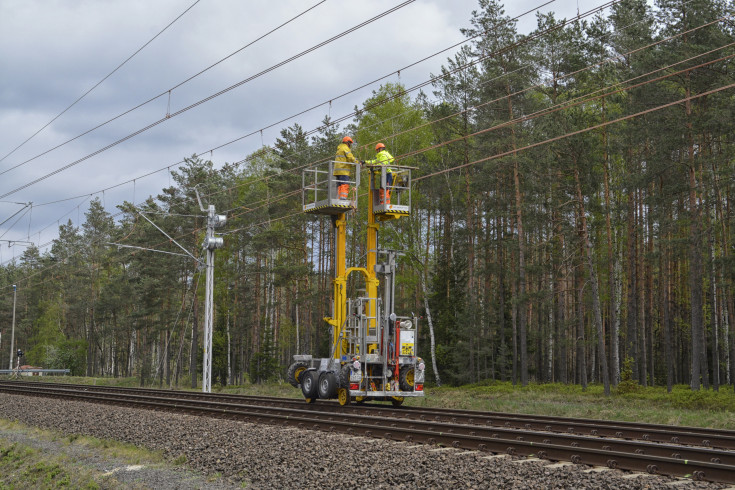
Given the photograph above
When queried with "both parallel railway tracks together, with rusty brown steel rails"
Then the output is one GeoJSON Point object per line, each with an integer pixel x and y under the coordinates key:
{"type": "Point", "coordinates": [697, 453]}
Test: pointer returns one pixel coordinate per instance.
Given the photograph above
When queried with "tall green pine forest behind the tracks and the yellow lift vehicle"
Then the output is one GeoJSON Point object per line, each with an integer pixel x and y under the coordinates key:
{"type": "Point", "coordinates": [571, 222]}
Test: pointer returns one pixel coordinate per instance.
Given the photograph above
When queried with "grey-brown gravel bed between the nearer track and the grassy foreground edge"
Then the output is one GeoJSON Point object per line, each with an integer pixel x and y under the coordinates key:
{"type": "Point", "coordinates": [263, 456]}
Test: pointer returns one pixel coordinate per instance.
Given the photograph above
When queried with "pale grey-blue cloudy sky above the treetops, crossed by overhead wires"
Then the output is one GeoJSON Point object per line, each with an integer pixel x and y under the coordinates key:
{"type": "Point", "coordinates": [53, 51]}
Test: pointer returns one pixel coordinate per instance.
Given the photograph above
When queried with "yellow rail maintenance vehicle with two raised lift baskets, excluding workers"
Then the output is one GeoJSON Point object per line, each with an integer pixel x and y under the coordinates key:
{"type": "Point", "coordinates": [373, 350]}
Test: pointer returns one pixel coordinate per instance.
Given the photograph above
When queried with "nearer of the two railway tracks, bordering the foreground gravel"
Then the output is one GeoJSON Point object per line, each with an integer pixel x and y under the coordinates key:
{"type": "Point", "coordinates": [637, 456]}
